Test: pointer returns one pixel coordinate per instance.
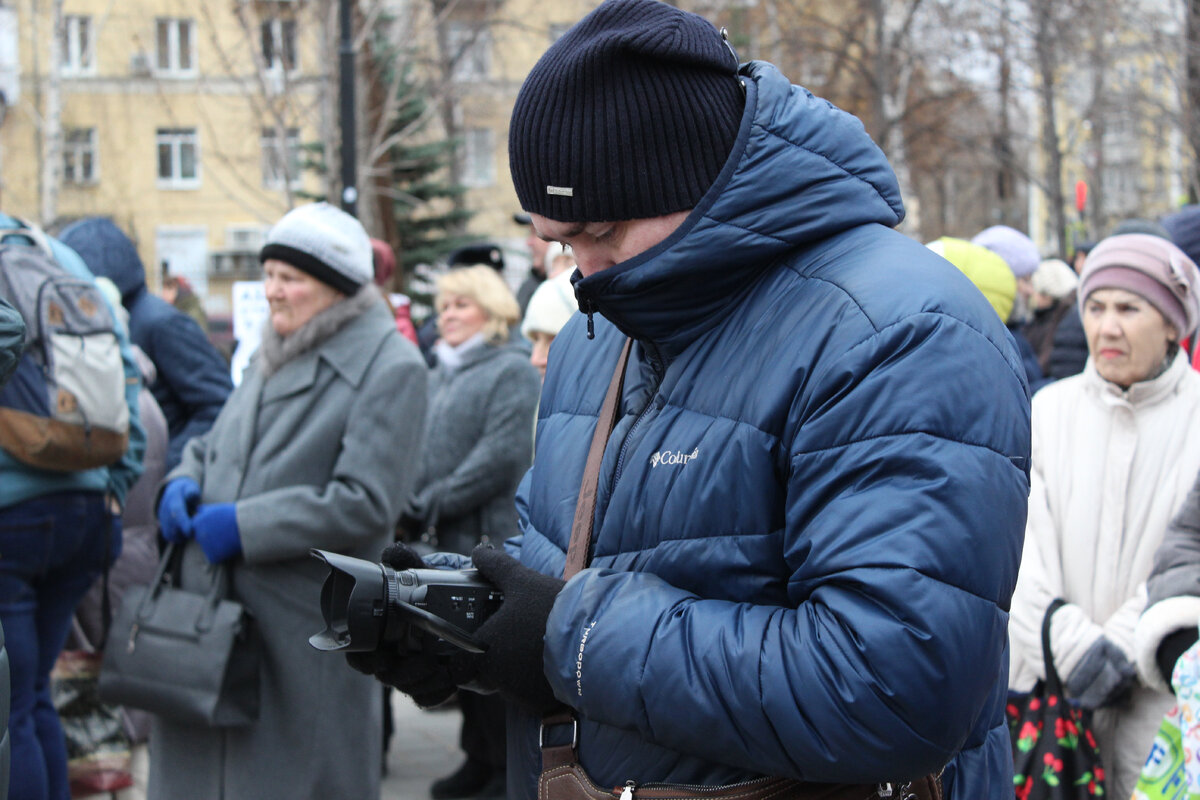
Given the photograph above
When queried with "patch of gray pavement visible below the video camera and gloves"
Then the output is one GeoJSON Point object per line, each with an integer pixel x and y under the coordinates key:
{"type": "Point", "coordinates": [424, 749]}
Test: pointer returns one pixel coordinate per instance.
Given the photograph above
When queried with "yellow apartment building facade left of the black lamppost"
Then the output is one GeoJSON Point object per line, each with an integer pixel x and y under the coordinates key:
{"type": "Point", "coordinates": [182, 122]}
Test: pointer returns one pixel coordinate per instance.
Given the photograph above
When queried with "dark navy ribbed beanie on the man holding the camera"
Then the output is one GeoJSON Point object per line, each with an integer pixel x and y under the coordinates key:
{"type": "Point", "coordinates": [631, 115]}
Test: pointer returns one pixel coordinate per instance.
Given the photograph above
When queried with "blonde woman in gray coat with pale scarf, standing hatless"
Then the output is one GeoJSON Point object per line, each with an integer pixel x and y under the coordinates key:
{"type": "Point", "coordinates": [483, 404]}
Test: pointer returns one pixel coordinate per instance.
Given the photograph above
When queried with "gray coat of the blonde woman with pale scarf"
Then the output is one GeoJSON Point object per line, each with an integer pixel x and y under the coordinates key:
{"type": "Point", "coordinates": [479, 430]}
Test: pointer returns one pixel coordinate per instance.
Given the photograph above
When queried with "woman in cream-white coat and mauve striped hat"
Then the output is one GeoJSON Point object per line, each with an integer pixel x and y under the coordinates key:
{"type": "Point", "coordinates": [1115, 452]}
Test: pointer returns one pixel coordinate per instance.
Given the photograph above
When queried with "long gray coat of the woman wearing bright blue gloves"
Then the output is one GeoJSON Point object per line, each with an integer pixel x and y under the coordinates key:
{"type": "Point", "coordinates": [320, 455]}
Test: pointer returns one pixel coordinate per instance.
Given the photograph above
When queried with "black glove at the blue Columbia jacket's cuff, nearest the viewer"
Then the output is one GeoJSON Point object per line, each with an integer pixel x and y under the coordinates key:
{"type": "Point", "coordinates": [513, 664]}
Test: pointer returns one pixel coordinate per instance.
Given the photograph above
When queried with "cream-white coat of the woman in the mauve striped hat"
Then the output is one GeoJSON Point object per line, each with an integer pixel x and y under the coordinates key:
{"type": "Point", "coordinates": [1111, 468]}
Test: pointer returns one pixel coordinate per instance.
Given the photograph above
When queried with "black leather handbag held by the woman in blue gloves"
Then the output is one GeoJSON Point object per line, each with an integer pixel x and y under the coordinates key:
{"type": "Point", "coordinates": [187, 657]}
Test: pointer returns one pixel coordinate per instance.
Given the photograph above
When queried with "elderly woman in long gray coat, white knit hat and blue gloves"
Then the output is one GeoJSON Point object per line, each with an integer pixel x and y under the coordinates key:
{"type": "Point", "coordinates": [316, 448]}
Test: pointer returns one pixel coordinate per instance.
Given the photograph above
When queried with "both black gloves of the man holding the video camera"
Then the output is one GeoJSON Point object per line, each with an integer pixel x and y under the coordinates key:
{"type": "Point", "coordinates": [513, 663]}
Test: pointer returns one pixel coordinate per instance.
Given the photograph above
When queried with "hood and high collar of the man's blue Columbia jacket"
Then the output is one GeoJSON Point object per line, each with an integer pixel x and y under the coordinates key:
{"type": "Point", "coordinates": [800, 172]}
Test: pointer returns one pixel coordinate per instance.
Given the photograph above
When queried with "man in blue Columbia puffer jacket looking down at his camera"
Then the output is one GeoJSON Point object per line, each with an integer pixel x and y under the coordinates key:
{"type": "Point", "coordinates": [808, 518]}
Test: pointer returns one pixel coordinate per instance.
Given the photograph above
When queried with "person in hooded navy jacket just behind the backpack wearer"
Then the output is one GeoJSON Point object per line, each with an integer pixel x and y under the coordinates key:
{"type": "Point", "coordinates": [193, 378]}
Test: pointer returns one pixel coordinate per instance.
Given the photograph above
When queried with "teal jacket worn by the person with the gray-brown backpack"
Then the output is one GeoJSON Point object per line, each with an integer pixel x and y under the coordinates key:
{"type": "Point", "coordinates": [19, 482]}
